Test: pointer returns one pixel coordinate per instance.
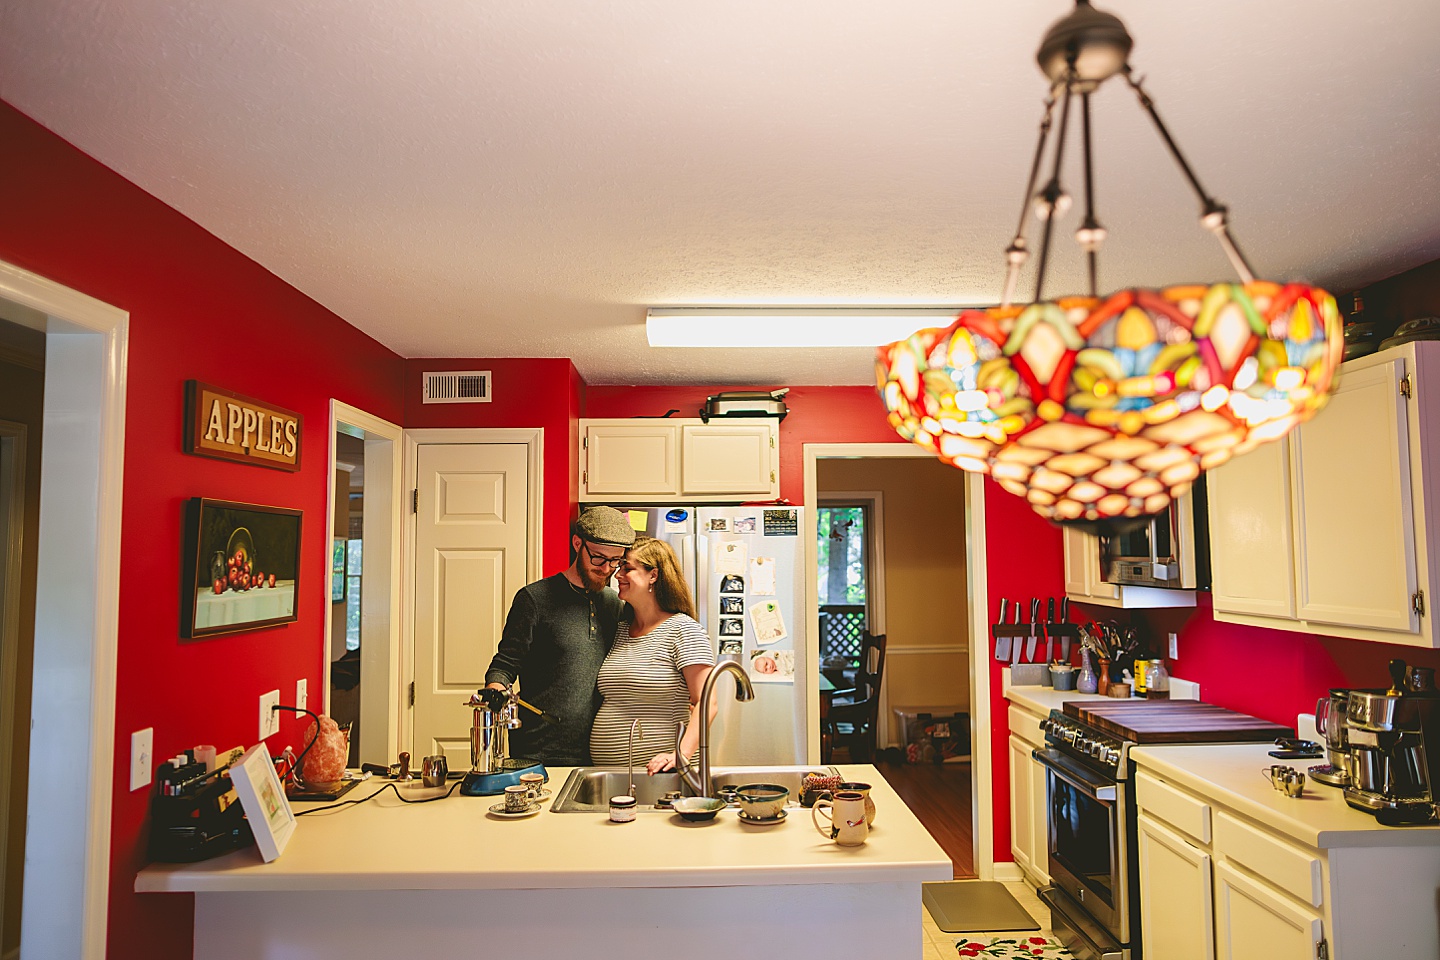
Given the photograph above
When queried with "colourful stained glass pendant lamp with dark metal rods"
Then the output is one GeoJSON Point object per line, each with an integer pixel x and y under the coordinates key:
{"type": "Point", "coordinates": [1101, 411]}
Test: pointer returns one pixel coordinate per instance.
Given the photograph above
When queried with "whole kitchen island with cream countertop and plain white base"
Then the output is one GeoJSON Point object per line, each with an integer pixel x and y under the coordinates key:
{"type": "Point", "coordinates": [388, 876]}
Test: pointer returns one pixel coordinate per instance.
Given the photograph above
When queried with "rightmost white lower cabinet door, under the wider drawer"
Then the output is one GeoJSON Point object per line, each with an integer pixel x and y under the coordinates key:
{"type": "Point", "coordinates": [1255, 922]}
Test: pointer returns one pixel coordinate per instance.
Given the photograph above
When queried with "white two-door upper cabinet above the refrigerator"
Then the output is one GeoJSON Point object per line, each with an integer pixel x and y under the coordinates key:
{"type": "Point", "coordinates": [679, 461]}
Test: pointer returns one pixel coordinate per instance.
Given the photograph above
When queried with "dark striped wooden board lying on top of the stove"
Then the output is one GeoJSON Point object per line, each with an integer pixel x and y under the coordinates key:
{"type": "Point", "coordinates": [1174, 722]}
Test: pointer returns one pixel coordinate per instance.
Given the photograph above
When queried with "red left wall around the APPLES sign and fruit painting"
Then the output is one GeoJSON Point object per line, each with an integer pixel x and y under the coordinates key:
{"type": "Point", "coordinates": [198, 309]}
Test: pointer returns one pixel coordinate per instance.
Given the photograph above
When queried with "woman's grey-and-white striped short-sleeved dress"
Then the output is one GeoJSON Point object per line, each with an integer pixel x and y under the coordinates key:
{"type": "Point", "coordinates": [643, 679]}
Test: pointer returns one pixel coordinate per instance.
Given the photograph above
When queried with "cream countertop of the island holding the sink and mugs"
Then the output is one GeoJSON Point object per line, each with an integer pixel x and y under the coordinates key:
{"type": "Point", "coordinates": [456, 846]}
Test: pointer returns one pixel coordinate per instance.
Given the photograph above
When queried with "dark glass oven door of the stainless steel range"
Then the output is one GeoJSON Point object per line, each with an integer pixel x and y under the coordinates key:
{"type": "Point", "coordinates": [1089, 844]}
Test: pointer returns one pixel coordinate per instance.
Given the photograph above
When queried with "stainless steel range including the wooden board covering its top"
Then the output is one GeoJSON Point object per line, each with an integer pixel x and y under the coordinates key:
{"type": "Point", "coordinates": [1092, 815]}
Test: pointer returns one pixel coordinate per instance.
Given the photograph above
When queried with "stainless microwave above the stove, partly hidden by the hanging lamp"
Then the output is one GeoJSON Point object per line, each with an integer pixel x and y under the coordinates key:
{"type": "Point", "coordinates": [1170, 551]}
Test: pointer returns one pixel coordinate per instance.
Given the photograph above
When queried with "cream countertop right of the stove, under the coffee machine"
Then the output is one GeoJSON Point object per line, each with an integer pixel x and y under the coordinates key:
{"type": "Point", "coordinates": [1230, 776]}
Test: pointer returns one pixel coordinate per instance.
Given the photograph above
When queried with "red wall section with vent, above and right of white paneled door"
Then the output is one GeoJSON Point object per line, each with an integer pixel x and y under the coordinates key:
{"type": "Point", "coordinates": [526, 394]}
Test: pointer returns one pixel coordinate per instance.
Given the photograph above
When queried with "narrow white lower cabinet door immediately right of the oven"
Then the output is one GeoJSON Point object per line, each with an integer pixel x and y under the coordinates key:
{"type": "Point", "coordinates": [1177, 916]}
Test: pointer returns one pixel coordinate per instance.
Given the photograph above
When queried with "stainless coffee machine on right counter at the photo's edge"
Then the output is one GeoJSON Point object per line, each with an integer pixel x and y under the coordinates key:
{"type": "Point", "coordinates": [1395, 749]}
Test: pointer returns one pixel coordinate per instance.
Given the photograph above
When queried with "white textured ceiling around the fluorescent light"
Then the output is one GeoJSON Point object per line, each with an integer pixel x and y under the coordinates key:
{"type": "Point", "coordinates": [506, 178]}
